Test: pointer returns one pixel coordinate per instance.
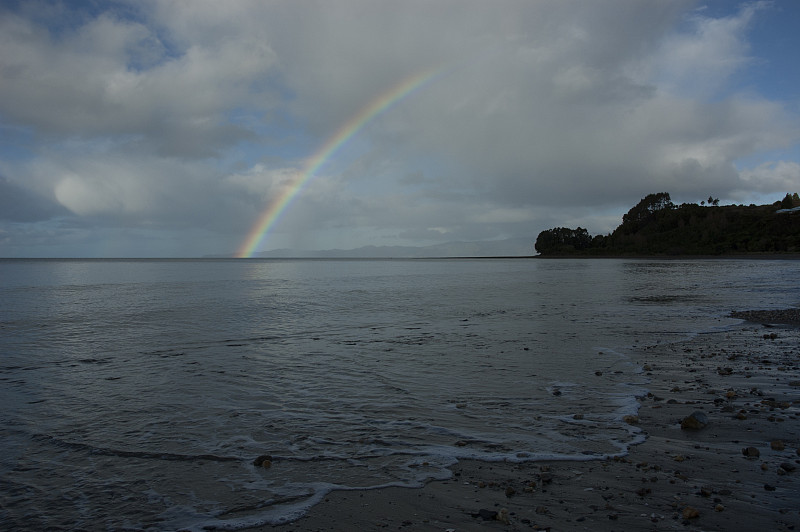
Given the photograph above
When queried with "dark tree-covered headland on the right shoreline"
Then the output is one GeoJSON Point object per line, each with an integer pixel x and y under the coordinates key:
{"type": "Point", "coordinates": [655, 226]}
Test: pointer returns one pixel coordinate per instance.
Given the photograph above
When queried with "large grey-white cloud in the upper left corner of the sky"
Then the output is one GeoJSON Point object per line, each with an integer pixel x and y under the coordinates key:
{"type": "Point", "coordinates": [111, 77]}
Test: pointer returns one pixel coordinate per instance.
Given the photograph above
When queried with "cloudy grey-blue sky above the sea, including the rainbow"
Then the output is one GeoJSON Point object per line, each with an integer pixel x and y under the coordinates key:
{"type": "Point", "coordinates": [149, 128]}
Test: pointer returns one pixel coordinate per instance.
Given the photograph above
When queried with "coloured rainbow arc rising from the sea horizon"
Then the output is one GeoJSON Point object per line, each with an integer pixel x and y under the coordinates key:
{"type": "Point", "coordinates": [278, 205]}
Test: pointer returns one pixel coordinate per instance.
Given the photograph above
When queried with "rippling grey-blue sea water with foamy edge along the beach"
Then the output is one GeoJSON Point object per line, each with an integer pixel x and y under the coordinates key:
{"type": "Point", "coordinates": [136, 394]}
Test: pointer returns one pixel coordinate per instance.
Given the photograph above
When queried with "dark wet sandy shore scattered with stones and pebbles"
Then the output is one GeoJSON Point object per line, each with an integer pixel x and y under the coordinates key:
{"type": "Point", "coordinates": [739, 472]}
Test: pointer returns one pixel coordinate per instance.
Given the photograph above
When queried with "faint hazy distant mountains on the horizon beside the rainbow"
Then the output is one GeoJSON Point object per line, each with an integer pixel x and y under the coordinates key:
{"type": "Point", "coordinates": [517, 247]}
